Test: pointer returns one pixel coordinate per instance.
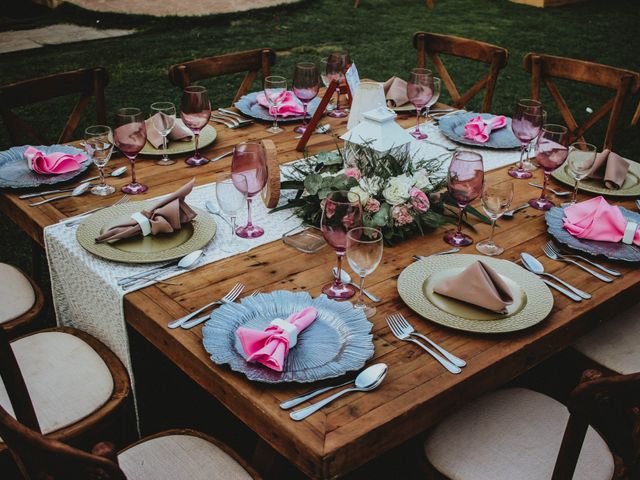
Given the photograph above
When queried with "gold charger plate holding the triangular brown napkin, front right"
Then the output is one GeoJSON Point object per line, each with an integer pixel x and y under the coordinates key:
{"type": "Point", "coordinates": [532, 299]}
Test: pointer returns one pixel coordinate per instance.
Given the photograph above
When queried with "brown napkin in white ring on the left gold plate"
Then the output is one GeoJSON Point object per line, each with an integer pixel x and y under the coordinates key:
{"type": "Point", "coordinates": [166, 216]}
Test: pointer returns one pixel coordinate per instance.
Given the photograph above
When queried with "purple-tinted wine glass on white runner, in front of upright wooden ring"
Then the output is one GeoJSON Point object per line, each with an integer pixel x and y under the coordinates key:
{"type": "Point", "coordinates": [250, 160]}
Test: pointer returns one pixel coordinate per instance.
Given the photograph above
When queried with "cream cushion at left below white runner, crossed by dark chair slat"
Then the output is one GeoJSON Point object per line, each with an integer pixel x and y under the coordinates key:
{"type": "Point", "coordinates": [67, 380]}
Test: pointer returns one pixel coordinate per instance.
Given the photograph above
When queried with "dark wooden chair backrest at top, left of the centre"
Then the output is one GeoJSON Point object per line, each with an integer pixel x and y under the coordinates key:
{"type": "Point", "coordinates": [252, 61]}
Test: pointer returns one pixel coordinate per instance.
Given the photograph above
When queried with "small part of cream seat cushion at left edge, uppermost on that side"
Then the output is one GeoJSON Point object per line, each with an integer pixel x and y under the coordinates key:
{"type": "Point", "coordinates": [16, 293]}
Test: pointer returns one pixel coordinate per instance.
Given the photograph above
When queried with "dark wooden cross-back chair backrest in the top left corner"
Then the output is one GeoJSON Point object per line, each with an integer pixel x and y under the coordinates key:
{"type": "Point", "coordinates": [87, 82]}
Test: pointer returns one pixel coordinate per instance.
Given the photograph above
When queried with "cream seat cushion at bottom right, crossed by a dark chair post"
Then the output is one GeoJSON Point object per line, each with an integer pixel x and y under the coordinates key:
{"type": "Point", "coordinates": [511, 434]}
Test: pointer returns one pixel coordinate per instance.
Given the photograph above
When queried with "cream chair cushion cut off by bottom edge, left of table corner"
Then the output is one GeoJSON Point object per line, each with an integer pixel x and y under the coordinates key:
{"type": "Point", "coordinates": [178, 457]}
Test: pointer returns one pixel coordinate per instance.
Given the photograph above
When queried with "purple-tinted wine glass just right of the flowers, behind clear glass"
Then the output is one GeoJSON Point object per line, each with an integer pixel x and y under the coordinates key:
{"type": "Point", "coordinates": [464, 183]}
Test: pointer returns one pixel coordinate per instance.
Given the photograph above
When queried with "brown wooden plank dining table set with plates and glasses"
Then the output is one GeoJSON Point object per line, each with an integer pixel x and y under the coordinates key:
{"type": "Point", "coordinates": [417, 391]}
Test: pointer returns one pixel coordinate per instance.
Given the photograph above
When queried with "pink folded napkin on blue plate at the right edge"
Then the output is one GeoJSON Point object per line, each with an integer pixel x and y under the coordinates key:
{"type": "Point", "coordinates": [595, 219]}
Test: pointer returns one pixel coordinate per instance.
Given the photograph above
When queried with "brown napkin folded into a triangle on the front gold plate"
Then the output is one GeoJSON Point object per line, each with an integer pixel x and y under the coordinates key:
{"type": "Point", "coordinates": [479, 285]}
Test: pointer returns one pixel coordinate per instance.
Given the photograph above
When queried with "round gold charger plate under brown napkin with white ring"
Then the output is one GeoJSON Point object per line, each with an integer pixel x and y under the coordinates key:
{"type": "Point", "coordinates": [150, 249]}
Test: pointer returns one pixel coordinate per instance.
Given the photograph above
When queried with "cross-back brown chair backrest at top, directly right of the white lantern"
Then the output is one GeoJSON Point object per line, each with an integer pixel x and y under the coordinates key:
{"type": "Point", "coordinates": [433, 44]}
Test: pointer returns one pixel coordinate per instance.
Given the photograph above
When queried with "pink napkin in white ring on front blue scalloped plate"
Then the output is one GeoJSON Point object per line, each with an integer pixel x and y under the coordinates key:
{"type": "Point", "coordinates": [271, 346]}
